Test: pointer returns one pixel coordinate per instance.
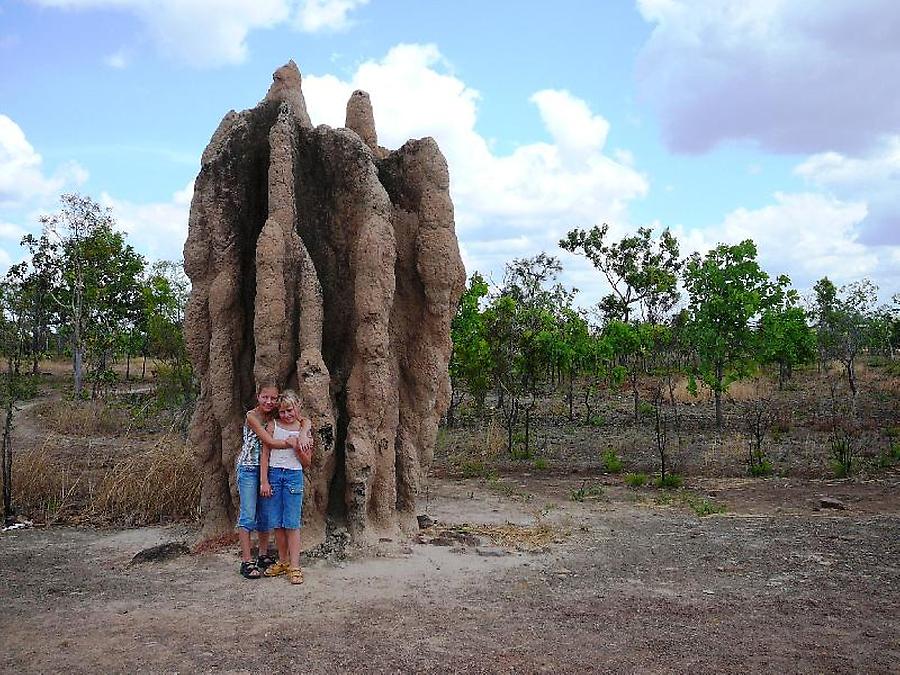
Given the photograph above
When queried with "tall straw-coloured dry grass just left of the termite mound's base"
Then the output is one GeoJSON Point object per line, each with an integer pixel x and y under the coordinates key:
{"type": "Point", "coordinates": [159, 484]}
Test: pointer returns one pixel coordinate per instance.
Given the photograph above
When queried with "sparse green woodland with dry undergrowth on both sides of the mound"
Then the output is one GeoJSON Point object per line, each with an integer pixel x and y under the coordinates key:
{"type": "Point", "coordinates": [704, 365]}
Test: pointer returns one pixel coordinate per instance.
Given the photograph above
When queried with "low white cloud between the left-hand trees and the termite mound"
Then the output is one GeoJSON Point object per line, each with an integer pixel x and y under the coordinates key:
{"type": "Point", "coordinates": [157, 230]}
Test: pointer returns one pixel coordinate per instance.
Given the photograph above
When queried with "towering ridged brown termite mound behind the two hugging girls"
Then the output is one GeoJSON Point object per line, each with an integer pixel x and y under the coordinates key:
{"type": "Point", "coordinates": [331, 264]}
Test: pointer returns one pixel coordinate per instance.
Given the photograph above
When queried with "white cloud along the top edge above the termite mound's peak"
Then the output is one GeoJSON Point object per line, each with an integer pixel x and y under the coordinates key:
{"type": "Point", "coordinates": [214, 32]}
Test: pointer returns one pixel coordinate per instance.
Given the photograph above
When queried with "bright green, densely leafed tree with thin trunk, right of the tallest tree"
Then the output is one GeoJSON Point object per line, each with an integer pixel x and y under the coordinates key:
{"type": "Point", "coordinates": [727, 291]}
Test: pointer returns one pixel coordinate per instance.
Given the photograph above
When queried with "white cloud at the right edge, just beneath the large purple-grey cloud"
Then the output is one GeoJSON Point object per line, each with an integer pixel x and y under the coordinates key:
{"type": "Point", "coordinates": [873, 178]}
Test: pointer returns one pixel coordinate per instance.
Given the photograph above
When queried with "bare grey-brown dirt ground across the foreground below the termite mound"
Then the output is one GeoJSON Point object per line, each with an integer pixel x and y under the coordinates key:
{"type": "Point", "coordinates": [625, 586]}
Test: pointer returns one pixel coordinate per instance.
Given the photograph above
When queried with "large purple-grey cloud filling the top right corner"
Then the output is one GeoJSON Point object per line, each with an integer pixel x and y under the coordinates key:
{"type": "Point", "coordinates": [793, 75]}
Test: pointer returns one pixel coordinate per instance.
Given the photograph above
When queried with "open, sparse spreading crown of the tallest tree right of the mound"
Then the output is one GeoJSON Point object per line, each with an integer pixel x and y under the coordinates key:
{"type": "Point", "coordinates": [641, 271]}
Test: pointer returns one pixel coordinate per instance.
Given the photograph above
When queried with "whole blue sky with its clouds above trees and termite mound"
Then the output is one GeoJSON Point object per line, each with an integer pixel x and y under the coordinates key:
{"type": "Point", "coordinates": [777, 120]}
